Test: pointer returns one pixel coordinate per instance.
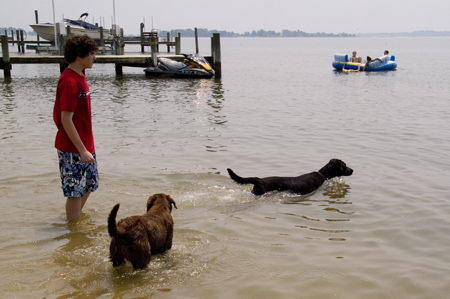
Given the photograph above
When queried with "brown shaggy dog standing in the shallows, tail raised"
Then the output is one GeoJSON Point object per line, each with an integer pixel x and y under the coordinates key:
{"type": "Point", "coordinates": [136, 238]}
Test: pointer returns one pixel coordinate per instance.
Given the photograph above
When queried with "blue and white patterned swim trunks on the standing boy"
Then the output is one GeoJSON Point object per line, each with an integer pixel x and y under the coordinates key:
{"type": "Point", "coordinates": [77, 177]}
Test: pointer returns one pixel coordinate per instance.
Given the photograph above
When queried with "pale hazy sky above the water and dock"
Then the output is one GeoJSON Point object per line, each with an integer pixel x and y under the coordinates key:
{"type": "Point", "coordinates": [239, 16]}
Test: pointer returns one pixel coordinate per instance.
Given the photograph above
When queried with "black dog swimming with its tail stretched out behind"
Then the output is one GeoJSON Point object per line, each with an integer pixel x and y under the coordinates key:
{"type": "Point", "coordinates": [303, 184]}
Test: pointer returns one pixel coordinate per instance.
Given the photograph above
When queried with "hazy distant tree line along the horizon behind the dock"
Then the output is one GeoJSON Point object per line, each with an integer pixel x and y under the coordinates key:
{"type": "Point", "coordinates": [203, 32]}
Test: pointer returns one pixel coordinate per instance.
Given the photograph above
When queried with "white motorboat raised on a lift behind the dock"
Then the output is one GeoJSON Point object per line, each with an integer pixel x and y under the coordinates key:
{"type": "Point", "coordinates": [47, 30]}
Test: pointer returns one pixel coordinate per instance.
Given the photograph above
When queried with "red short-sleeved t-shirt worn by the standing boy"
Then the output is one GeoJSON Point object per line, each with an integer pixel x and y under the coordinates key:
{"type": "Point", "coordinates": [72, 95]}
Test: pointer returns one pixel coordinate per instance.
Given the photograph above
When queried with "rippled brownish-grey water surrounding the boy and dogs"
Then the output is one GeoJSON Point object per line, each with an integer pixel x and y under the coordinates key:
{"type": "Point", "coordinates": [279, 109]}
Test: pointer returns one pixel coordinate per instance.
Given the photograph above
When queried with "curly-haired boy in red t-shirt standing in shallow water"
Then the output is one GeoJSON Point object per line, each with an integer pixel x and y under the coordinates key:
{"type": "Point", "coordinates": [72, 115]}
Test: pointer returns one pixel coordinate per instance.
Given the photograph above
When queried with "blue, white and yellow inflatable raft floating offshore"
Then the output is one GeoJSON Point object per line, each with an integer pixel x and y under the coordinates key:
{"type": "Point", "coordinates": [386, 64]}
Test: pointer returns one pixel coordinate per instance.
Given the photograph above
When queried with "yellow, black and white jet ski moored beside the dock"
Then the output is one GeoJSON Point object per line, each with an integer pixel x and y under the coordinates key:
{"type": "Point", "coordinates": [192, 66]}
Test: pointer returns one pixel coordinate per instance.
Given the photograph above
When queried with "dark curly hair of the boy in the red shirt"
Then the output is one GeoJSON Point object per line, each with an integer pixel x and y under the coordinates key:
{"type": "Point", "coordinates": [78, 46]}
